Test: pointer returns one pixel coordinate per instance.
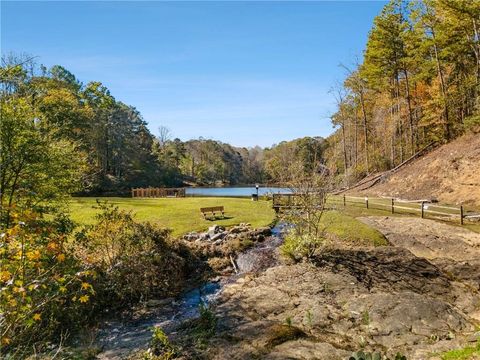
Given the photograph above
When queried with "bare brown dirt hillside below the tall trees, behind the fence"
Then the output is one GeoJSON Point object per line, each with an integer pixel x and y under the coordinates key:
{"type": "Point", "coordinates": [450, 174]}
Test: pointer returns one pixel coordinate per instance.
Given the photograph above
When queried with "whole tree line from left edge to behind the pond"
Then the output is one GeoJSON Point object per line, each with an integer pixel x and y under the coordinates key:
{"type": "Point", "coordinates": [59, 136]}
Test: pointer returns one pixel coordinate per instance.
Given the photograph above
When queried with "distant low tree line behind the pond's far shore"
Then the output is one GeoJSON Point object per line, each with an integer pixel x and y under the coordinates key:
{"type": "Point", "coordinates": [211, 162]}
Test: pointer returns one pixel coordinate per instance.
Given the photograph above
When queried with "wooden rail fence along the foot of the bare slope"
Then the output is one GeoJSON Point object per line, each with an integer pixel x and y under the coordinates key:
{"type": "Point", "coordinates": [421, 208]}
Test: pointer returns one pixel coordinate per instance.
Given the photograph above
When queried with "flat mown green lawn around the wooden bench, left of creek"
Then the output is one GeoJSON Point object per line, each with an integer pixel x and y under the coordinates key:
{"type": "Point", "coordinates": [180, 214]}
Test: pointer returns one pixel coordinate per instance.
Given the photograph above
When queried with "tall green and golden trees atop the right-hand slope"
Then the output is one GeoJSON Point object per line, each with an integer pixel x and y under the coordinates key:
{"type": "Point", "coordinates": [417, 84]}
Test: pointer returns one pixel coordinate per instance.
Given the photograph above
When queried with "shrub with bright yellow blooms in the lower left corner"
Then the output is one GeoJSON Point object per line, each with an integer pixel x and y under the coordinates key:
{"type": "Point", "coordinates": [44, 289]}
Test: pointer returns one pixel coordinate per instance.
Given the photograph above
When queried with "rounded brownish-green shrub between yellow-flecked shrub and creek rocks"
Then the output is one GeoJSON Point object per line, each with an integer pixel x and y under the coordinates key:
{"type": "Point", "coordinates": [133, 261]}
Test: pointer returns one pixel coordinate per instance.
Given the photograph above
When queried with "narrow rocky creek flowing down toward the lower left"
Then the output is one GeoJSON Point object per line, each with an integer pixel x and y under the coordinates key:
{"type": "Point", "coordinates": [119, 338]}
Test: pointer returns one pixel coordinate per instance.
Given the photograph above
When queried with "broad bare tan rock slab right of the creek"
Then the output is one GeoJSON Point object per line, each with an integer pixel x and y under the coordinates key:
{"type": "Point", "coordinates": [418, 297]}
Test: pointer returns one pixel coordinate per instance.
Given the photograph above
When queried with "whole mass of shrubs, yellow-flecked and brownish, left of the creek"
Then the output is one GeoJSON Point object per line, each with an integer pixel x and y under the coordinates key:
{"type": "Point", "coordinates": [54, 282]}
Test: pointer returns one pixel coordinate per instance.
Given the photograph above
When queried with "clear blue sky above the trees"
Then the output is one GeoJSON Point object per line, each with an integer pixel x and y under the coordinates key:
{"type": "Point", "coordinates": [246, 73]}
